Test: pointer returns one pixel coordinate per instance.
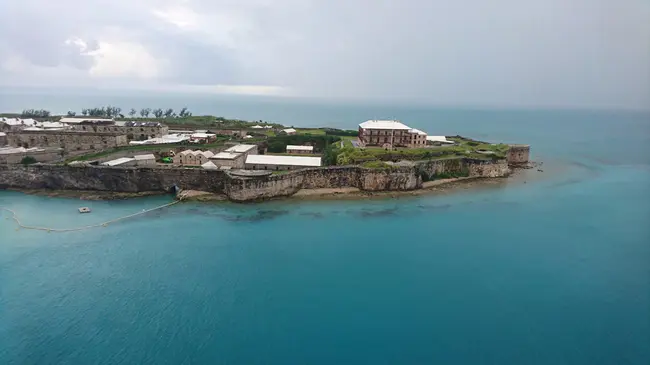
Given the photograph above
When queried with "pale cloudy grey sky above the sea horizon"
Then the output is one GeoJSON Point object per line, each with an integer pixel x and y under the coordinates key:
{"type": "Point", "coordinates": [519, 53]}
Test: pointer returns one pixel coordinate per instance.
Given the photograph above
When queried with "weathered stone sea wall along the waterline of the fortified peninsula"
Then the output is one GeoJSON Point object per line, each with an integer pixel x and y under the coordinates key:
{"type": "Point", "coordinates": [238, 188]}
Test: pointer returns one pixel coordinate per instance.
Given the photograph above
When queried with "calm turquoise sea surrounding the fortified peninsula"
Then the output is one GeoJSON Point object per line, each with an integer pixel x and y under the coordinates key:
{"type": "Point", "coordinates": [555, 270]}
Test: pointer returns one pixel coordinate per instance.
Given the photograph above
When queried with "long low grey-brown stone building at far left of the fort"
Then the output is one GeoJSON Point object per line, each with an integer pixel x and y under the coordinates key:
{"type": "Point", "coordinates": [68, 140]}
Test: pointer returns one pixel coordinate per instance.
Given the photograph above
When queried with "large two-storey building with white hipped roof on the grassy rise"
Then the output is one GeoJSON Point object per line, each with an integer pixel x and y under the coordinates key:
{"type": "Point", "coordinates": [390, 134]}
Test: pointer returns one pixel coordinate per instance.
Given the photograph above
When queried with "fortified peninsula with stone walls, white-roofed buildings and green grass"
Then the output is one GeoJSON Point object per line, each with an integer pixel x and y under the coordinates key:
{"type": "Point", "coordinates": [106, 152]}
